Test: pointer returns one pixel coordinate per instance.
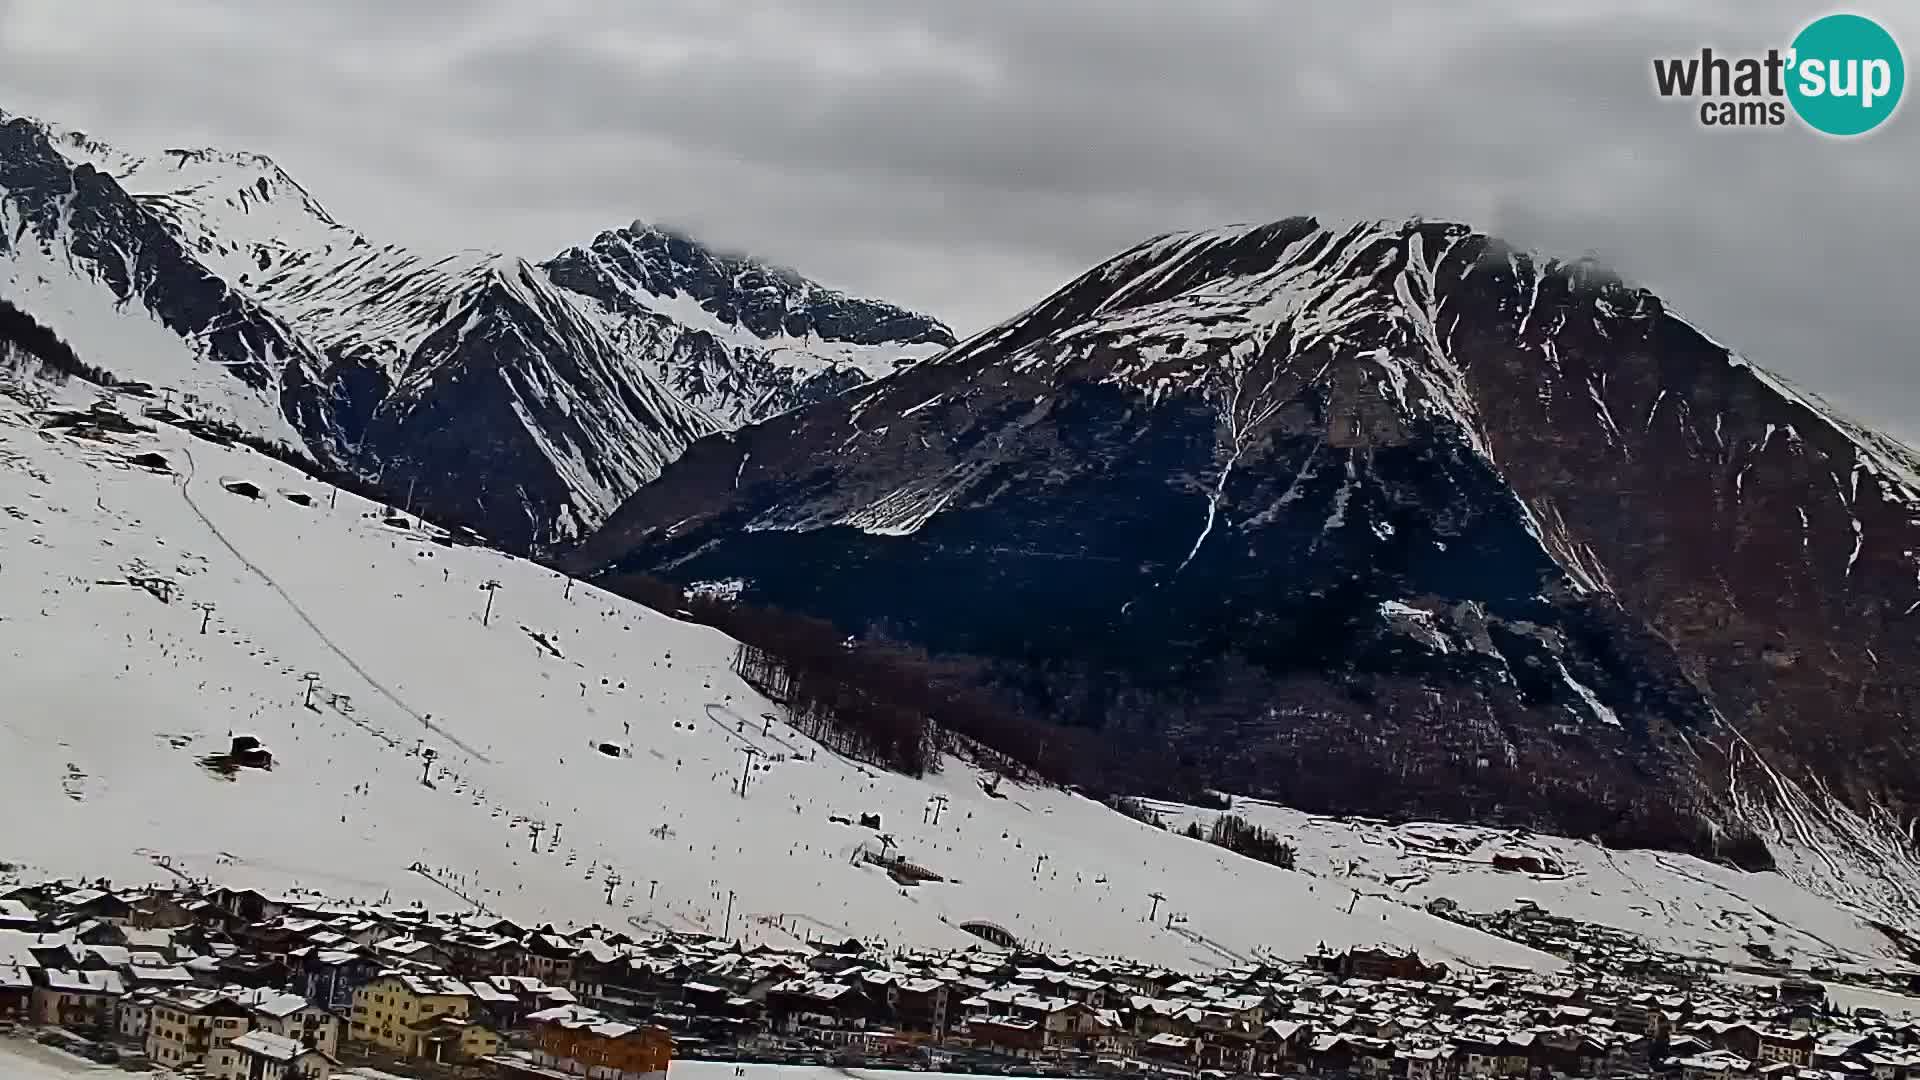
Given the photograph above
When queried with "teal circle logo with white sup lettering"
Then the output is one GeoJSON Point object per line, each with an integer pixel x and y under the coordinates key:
{"type": "Point", "coordinates": [1846, 76]}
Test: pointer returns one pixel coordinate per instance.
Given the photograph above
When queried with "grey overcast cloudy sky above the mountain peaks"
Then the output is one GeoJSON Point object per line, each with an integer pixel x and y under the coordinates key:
{"type": "Point", "coordinates": [967, 157]}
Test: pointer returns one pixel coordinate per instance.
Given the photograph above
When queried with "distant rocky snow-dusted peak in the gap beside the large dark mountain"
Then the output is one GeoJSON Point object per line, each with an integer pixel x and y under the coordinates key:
{"type": "Point", "coordinates": [738, 337]}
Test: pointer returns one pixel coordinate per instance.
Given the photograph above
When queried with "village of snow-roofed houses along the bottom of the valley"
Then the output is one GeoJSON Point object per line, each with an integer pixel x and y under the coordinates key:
{"type": "Point", "coordinates": [233, 983]}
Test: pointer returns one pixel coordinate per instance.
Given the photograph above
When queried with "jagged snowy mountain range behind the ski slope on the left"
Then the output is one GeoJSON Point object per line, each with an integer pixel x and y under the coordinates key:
{"type": "Point", "coordinates": [469, 380]}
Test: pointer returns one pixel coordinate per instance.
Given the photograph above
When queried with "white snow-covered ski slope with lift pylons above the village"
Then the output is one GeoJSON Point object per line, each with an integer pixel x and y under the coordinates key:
{"type": "Point", "coordinates": [577, 737]}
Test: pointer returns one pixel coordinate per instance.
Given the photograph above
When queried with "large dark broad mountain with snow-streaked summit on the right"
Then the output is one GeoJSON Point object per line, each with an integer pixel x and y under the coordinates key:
{"type": "Point", "coordinates": [1376, 520]}
